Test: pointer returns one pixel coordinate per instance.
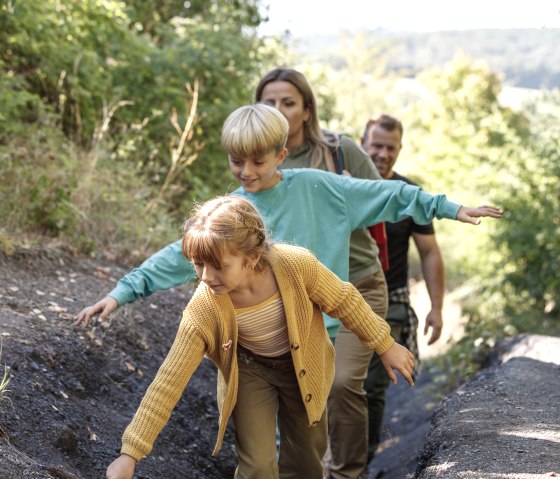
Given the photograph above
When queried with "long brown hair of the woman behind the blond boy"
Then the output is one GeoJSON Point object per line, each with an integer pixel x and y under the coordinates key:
{"type": "Point", "coordinates": [313, 135]}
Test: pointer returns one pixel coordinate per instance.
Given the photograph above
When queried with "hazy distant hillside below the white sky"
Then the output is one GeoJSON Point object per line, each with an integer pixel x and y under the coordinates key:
{"type": "Point", "coordinates": [528, 58]}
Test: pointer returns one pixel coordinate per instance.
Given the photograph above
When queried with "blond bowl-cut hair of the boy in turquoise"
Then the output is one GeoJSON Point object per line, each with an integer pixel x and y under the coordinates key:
{"type": "Point", "coordinates": [254, 131]}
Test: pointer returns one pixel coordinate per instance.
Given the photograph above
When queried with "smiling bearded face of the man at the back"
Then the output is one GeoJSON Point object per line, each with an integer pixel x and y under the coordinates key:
{"type": "Point", "coordinates": [383, 147]}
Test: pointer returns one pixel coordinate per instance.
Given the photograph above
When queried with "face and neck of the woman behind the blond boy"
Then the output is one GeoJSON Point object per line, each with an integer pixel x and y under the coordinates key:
{"type": "Point", "coordinates": [286, 98]}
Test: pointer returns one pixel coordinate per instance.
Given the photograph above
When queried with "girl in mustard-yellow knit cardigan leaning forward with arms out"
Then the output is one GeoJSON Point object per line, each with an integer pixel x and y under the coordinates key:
{"type": "Point", "coordinates": [257, 314]}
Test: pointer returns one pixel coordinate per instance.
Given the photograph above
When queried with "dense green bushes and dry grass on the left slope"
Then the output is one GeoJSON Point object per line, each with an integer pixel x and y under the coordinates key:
{"type": "Point", "coordinates": [95, 99]}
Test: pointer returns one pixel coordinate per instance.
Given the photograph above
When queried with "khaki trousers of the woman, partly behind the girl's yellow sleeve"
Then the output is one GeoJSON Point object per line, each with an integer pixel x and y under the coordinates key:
{"type": "Point", "coordinates": [347, 404]}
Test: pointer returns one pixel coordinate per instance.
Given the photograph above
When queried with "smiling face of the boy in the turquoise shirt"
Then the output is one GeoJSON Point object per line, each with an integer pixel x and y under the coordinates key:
{"type": "Point", "coordinates": [257, 174]}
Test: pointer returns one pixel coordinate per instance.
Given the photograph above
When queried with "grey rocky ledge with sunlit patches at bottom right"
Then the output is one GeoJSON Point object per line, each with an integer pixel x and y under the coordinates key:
{"type": "Point", "coordinates": [505, 423]}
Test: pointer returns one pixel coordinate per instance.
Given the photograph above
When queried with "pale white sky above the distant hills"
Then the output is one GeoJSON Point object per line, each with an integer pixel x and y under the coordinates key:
{"type": "Point", "coordinates": [313, 17]}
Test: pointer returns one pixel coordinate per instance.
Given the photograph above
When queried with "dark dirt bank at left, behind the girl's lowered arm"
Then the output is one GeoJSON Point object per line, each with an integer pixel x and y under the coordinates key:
{"type": "Point", "coordinates": [72, 391]}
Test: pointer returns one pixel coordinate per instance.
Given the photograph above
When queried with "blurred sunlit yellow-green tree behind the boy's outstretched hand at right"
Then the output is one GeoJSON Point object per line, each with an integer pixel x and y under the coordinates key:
{"type": "Point", "coordinates": [454, 140]}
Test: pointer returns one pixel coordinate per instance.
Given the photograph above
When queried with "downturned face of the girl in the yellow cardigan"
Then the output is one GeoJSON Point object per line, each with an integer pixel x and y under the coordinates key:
{"type": "Point", "coordinates": [229, 277]}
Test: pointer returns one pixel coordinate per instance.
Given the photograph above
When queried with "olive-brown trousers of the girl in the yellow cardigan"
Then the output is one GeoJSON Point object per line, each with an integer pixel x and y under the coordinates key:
{"type": "Point", "coordinates": [268, 390]}
